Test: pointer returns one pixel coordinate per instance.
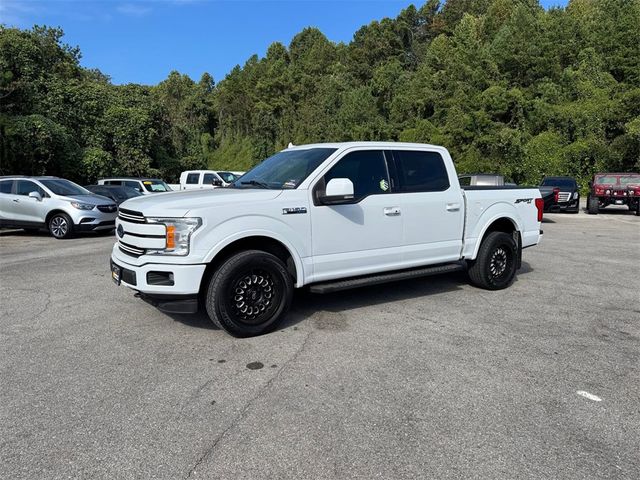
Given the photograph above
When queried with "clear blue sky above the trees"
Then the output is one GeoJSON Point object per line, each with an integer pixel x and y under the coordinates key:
{"type": "Point", "coordinates": [141, 41]}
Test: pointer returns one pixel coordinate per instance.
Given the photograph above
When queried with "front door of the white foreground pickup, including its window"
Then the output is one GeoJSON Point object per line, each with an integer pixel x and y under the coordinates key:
{"type": "Point", "coordinates": [365, 235]}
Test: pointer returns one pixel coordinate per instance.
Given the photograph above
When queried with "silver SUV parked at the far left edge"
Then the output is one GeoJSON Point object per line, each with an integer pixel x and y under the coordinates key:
{"type": "Point", "coordinates": [53, 203]}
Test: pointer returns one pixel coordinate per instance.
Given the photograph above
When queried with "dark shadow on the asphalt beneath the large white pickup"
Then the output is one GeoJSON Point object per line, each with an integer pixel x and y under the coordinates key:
{"type": "Point", "coordinates": [306, 304]}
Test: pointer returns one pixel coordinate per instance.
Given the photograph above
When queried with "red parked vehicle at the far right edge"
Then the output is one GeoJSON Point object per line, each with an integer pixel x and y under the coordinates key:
{"type": "Point", "coordinates": [614, 189]}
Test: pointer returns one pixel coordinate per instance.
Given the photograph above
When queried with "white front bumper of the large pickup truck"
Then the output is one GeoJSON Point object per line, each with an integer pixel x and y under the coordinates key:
{"type": "Point", "coordinates": [159, 278]}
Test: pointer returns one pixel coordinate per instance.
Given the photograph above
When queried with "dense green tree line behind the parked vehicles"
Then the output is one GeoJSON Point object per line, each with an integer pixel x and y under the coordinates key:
{"type": "Point", "coordinates": [506, 85]}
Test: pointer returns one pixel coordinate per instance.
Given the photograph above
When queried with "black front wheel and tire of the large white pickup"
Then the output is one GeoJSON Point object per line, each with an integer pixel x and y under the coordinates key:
{"type": "Point", "coordinates": [249, 293]}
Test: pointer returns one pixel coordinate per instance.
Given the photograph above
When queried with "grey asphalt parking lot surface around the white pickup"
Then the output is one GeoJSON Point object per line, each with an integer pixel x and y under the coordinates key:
{"type": "Point", "coordinates": [426, 379]}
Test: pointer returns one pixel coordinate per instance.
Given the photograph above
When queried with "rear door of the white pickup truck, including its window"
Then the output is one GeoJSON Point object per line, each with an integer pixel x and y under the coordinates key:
{"type": "Point", "coordinates": [432, 207]}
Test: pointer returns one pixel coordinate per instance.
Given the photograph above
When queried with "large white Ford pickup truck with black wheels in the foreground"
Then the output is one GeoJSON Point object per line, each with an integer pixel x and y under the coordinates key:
{"type": "Point", "coordinates": [329, 216]}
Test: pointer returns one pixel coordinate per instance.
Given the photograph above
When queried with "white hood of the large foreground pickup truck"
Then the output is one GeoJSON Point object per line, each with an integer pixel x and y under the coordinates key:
{"type": "Point", "coordinates": [178, 204]}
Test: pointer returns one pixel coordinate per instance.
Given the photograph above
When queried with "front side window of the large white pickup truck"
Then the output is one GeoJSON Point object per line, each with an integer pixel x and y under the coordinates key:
{"type": "Point", "coordinates": [366, 169]}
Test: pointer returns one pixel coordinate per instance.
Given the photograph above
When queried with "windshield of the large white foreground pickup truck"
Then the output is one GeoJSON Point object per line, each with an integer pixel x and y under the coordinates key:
{"type": "Point", "coordinates": [284, 170]}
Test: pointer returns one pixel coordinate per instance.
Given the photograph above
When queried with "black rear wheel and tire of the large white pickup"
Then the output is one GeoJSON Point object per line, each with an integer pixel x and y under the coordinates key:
{"type": "Point", "coordinates": [495, 266]}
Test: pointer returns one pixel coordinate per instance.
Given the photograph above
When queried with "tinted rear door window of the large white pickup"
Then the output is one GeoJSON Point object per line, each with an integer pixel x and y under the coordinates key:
{"type": "Point", "coordinates": [420, 171]}
